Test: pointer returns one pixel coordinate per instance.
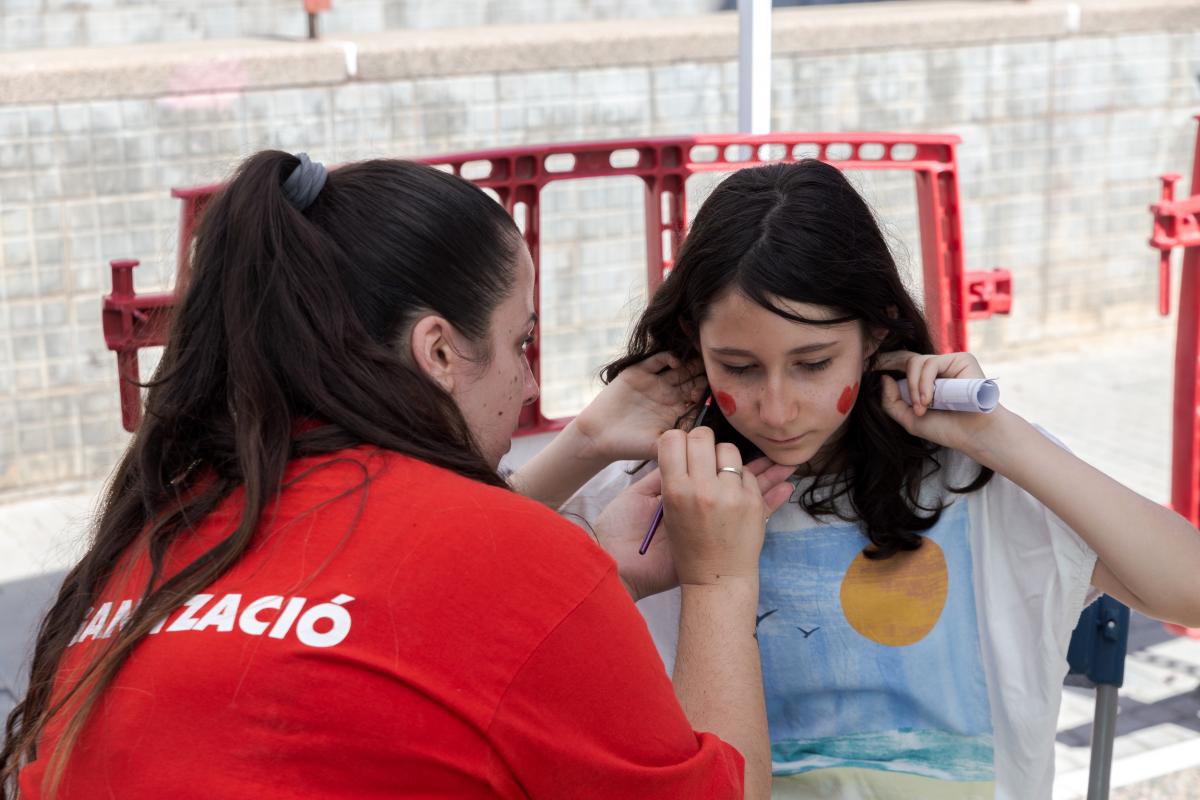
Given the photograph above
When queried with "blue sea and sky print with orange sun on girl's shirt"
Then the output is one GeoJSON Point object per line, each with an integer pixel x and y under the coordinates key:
{"type": "Point", "coordinates": [874, 669]}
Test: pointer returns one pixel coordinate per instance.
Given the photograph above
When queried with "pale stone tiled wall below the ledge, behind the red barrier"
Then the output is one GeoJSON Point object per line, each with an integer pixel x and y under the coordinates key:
{"type": "Point", "coordinates": [1064, 137]}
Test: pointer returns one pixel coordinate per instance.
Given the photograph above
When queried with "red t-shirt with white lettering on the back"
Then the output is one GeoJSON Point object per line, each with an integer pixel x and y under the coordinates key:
{"type": "Point", "coordinates": [423, 636]}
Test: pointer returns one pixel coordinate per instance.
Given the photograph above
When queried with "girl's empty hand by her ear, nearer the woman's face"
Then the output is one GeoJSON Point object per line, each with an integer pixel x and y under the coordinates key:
{"type": "Point", "coordinates": [629, 416]}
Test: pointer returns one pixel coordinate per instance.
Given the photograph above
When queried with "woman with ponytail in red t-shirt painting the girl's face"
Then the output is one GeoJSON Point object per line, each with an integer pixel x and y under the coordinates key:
{"type": "Point", "coordinates": [309, 580]}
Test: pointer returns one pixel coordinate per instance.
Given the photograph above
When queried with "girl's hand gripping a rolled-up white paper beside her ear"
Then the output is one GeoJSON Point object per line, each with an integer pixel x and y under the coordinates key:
{"type": "Point", "coordinates": [958, 430]}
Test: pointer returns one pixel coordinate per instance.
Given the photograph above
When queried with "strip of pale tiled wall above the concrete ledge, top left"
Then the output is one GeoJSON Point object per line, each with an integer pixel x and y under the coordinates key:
{"type": "Point", "coordinates": [27, 25]}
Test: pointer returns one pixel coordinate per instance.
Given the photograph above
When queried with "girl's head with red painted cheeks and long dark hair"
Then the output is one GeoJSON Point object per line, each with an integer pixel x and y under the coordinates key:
{"type": "Point", "coordinates": [788, 292]}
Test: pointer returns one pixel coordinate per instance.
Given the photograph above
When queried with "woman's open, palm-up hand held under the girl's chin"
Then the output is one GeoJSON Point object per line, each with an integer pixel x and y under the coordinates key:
{"type": "Point", "coordinates": [623, 525]}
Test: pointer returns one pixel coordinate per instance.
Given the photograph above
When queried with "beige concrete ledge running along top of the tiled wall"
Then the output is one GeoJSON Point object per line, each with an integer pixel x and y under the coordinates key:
{"type": "Point", "coordinates": [173, 69]}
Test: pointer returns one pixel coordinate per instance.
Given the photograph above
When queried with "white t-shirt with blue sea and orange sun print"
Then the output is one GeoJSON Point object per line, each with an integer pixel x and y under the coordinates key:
{"type": "Point", "coordinates": [933, 675]}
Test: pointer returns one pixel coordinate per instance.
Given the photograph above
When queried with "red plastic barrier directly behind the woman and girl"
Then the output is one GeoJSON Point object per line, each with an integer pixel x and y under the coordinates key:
{"type": "Point", "coordinates": [518, 177]}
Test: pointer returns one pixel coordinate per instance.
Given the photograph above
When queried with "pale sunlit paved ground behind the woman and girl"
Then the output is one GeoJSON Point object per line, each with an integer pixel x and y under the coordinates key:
{"type": "Point", "coordinates": [1109, 400]}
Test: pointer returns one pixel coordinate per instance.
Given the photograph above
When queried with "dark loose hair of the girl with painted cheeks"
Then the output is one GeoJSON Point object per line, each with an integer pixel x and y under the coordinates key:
{"type": "Point", "coordinates": [801, 232]}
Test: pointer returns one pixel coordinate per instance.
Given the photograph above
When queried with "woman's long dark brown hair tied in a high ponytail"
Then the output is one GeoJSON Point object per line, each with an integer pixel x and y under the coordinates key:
{"type": "Point", "coordinates": [291, 317]}
